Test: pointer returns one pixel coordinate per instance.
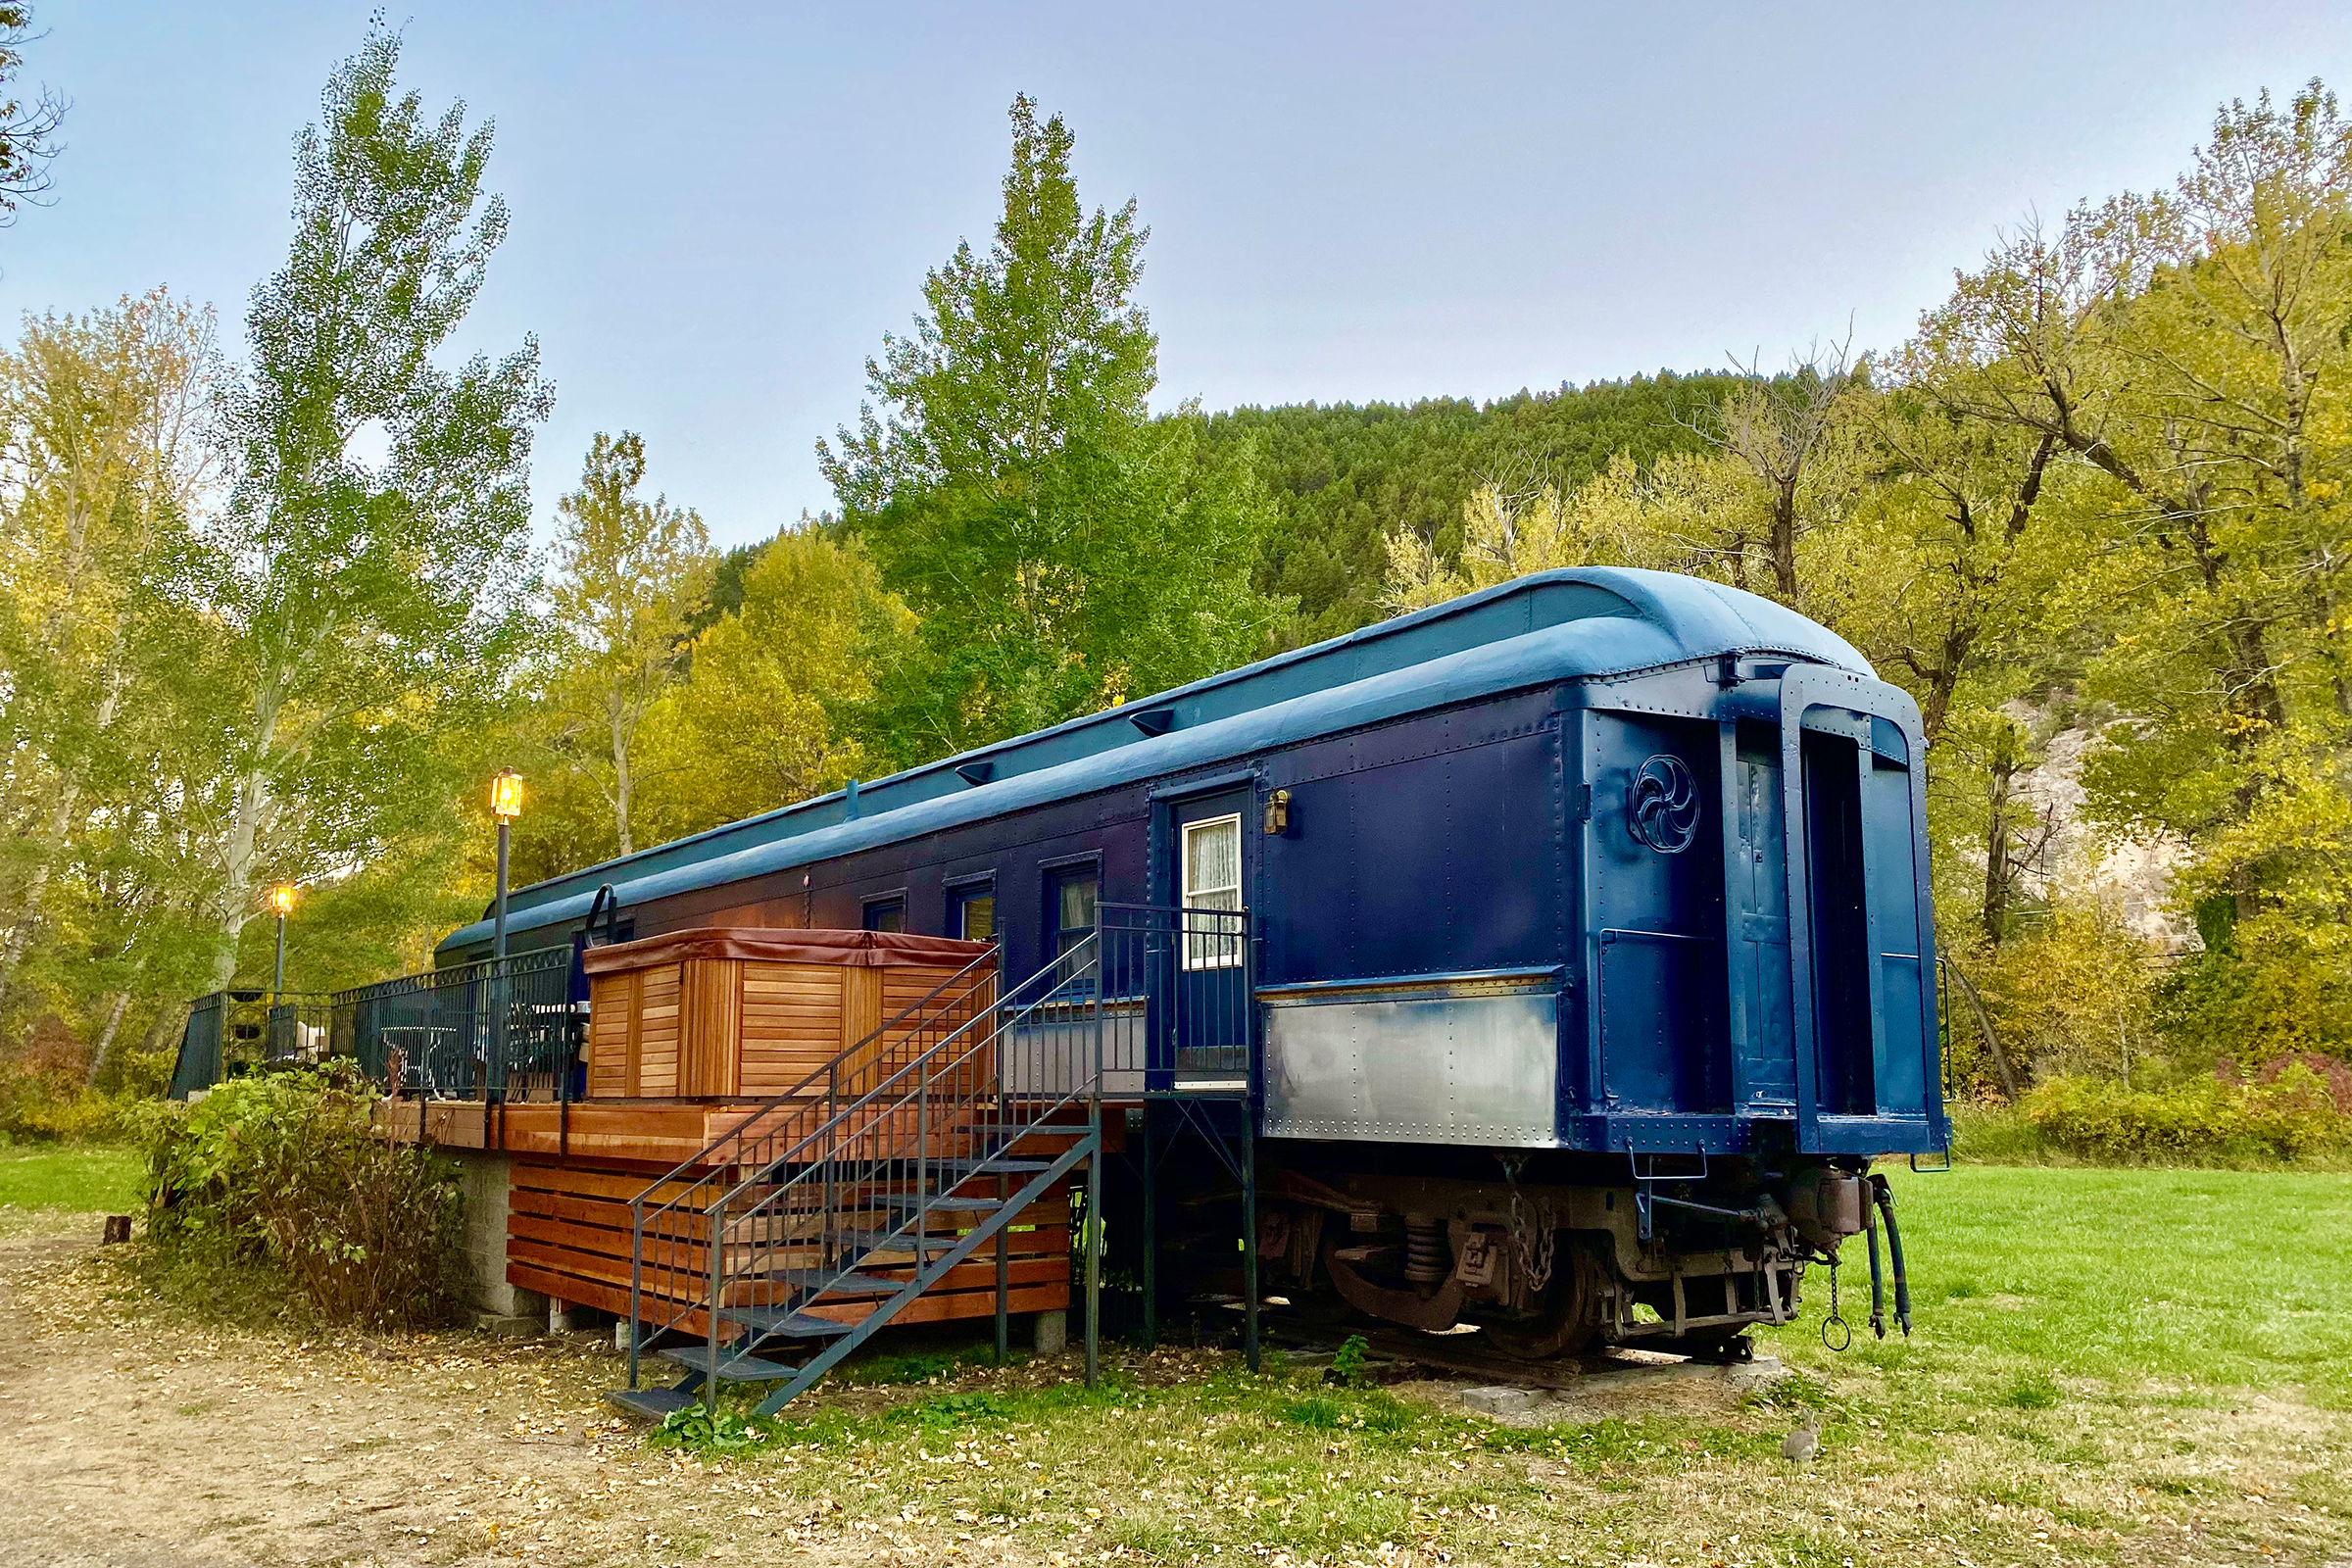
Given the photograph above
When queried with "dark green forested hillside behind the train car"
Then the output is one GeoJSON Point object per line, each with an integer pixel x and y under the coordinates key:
{"type": "Point", "coordinates": [1347, 476]}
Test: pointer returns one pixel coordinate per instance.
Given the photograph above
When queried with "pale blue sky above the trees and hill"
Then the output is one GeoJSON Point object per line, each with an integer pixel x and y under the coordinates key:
{"type": "Point", "coordinates": [721, 208]}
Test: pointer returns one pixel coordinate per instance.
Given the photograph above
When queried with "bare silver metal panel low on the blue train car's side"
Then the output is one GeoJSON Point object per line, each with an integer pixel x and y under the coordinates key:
{"type": "Point", "coordinates": [1450, 1068]}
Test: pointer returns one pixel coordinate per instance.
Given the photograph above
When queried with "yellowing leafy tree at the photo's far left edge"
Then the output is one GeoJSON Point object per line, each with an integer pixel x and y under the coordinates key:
{"type": "Point", "coordinates": [107, 460]}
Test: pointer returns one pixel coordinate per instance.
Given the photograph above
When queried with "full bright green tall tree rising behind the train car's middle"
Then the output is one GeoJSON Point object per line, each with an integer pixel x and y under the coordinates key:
{"type": "Point", "coordinates": [1060, 547]}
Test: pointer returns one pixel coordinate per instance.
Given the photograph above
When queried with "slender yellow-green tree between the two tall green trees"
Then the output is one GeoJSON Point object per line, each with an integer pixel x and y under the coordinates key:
{"type": "Point", "coordinates": [634, 577]}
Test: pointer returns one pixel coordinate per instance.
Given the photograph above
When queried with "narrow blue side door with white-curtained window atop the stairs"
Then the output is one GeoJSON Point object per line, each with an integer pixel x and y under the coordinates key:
{"type": "Point", "coordinates": [1205, 977]}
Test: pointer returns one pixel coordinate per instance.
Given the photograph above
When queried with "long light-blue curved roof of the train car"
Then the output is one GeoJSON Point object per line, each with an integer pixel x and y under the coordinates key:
{"type": "Point", "coordinates": [1572, 624]}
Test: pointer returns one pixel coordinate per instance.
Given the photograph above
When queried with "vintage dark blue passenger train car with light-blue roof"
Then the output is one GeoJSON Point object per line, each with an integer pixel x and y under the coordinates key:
{"type": "Point", "coordinates": [1591, 942]}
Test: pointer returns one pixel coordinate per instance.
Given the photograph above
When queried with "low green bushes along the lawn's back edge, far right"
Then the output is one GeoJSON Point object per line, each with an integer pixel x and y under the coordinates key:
{"type": "Point", "coordinates": [2290, 1118]}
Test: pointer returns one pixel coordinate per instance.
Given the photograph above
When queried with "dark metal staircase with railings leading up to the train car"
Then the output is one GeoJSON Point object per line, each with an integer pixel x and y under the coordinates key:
{"type": "Point", "coordinates": [794, 1238]}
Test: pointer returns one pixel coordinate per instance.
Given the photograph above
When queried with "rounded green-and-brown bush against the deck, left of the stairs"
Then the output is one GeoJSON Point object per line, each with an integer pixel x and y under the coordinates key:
{"type": "Point", "coordinates": [288, 1172]}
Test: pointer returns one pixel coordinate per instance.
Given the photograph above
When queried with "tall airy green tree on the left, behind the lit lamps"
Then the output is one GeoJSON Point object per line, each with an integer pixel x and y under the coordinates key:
{"type": "Point", "coordinates": [370, 570]}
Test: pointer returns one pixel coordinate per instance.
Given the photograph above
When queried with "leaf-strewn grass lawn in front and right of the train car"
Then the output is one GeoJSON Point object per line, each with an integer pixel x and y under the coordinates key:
{"type": "Point", "coordinates": [2116, 1367]}
